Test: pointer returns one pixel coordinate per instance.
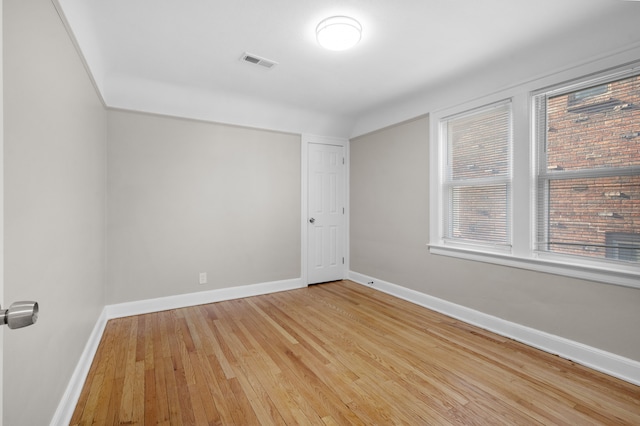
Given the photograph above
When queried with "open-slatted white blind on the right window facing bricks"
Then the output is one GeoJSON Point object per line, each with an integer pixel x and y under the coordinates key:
{"type": "Point", "coordinates": [588, 185]}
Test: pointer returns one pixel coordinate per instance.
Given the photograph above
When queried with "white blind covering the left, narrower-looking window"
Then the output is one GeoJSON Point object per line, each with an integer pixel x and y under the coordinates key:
{"type": "Point", "coordinates": [477, 176]}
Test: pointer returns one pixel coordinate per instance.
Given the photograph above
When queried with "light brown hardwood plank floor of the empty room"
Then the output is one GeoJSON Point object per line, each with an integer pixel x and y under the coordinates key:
{"type": "Point", "coordinates": [334, 354]}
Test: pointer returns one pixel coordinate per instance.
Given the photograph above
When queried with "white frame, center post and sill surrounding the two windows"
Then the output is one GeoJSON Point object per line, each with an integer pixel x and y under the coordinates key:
{"type": "Point", "coordinates": [523, 254]}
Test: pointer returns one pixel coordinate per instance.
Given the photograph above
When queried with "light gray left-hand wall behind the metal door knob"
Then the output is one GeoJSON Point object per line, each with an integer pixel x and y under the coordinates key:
{"type": "Point", "coordinates": [54, 164]}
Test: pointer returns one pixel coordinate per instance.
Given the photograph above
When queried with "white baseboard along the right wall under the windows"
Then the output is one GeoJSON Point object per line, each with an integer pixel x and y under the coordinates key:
{"type": "Point", "coordinates": [597, 359]}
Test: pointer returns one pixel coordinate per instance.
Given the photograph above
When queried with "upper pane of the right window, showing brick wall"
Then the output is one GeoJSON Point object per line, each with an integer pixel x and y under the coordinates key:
{"type": "Point", "coordinates": [595, 127]}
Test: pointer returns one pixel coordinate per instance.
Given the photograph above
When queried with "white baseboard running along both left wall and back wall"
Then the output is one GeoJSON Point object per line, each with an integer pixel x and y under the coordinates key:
{"type": "Point", "coordinates": [70, 398]}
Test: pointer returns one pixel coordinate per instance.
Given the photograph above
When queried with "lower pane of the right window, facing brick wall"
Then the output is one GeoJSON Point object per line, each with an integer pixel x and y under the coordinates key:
{"type": "Point", "coordinates": [596, 217]}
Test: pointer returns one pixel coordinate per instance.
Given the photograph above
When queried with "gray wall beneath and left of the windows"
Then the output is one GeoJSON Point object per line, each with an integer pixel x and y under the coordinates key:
{"type": "Point", "coordinates": [390, 229]}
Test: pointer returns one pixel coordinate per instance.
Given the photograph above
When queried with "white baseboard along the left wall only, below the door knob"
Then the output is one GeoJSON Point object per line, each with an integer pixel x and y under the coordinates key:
{"type": "Point", "coordinates": [67, 405]}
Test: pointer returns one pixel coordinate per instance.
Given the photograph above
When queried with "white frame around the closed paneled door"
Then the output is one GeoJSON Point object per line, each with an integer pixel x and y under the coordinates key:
{"type": "Point", "coordinates": [305, 140]}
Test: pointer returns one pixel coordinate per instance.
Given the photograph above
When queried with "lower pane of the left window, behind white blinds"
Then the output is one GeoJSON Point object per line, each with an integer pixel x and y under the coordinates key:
{"type": "Point", "coordinates": [479, 214]}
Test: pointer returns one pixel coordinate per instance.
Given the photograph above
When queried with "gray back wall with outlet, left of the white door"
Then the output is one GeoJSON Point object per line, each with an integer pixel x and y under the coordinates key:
{"type": "Point", "coordinates": [186, 197]}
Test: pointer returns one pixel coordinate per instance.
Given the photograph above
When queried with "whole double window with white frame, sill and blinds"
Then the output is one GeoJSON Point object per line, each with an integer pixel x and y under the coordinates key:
{"type": "Point", "coordinates": [548, 180]}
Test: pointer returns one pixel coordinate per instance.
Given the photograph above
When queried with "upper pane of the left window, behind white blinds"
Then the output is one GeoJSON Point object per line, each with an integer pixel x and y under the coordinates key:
{"type": "Point", "coordinates": [478, 143]}
